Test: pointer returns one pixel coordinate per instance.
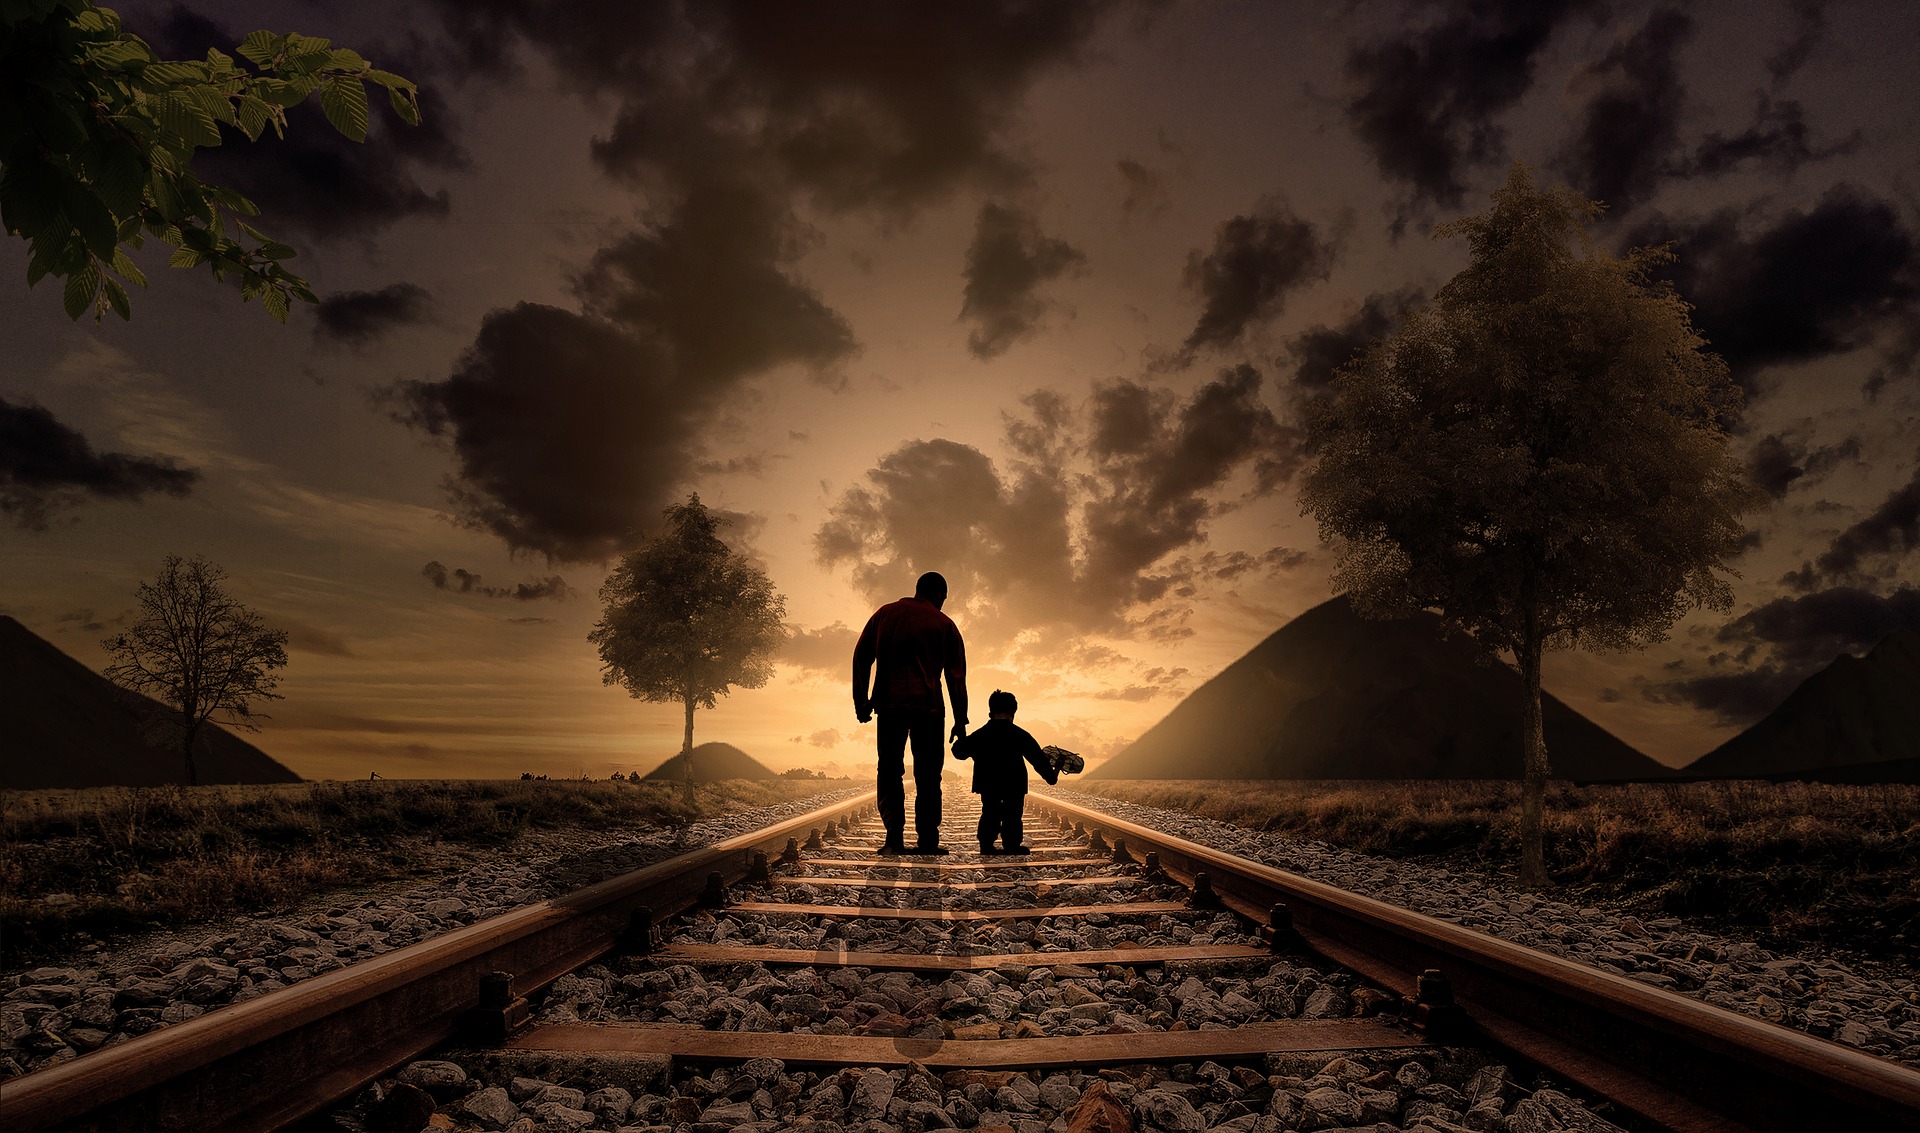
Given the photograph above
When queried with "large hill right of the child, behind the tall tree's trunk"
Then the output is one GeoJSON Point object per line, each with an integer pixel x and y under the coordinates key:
{"type": "Point", "coordinates": [1333, 696]}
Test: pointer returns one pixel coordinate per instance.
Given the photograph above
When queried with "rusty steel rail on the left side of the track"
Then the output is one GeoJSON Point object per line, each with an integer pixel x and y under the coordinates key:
{"type": "Point", "coordinates": [268, 1063]}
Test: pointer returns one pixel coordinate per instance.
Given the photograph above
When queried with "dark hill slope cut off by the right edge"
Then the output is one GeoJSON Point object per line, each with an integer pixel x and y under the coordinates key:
{"type": "Point", "coordinates": [1856, 711]}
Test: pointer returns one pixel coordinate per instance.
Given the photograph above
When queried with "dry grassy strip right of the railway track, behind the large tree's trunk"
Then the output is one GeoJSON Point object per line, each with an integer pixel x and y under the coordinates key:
{"type": "Point", "coordinates": [1785, 863]}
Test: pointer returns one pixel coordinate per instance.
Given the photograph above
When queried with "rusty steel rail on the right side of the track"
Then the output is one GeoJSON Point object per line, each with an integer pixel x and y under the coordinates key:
{"type": "Point", "coordinates": [1675, 1061]}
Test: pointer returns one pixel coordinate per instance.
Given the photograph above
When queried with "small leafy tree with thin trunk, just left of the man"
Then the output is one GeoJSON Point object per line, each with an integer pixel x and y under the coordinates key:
{"type": "Point", "coordinates": [688, 619]}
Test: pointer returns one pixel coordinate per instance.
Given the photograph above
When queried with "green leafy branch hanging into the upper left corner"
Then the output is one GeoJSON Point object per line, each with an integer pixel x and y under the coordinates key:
{"type": "Point", "coordinates": [97, 135]}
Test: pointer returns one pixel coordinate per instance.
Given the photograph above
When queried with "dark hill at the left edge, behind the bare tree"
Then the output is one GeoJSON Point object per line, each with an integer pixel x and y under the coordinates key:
{"type": "Point", "coordinates": [68, 727]}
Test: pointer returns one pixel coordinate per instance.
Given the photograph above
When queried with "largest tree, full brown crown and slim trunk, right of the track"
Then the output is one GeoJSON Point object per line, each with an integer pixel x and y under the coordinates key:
{"type": "Point", "coordinates": [1539, 456]}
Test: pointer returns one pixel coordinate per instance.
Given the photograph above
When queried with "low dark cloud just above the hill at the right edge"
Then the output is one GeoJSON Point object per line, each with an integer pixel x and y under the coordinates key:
{"type": "Point", "coordinates": [1777, 646]}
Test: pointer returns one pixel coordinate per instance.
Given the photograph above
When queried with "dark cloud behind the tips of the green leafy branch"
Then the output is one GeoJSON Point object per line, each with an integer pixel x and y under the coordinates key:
{"type": "Point", "coordinates": [314, 180]}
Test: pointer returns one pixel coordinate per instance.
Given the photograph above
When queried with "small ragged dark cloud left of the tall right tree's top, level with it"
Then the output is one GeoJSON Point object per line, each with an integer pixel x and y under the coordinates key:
{"type": "Point", "coordinates": [1257, 260]}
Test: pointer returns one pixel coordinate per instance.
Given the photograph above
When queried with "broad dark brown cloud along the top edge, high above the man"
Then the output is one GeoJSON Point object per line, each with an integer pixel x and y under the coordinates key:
{"type": "Point", "coordinates": [863, 105]}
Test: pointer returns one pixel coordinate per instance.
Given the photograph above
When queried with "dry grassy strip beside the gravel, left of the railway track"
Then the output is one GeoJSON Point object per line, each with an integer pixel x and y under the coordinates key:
{"type": "Point", "coordinates": [120, 859]}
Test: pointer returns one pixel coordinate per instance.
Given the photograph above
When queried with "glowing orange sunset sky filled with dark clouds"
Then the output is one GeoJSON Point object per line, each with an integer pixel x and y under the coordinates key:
{"type": "Point", "coordinates": [1022, 293]}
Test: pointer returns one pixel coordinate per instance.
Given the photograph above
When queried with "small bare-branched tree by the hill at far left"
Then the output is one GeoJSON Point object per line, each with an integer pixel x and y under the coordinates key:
{"type": "Point", "coordinates": [199, 652]}
